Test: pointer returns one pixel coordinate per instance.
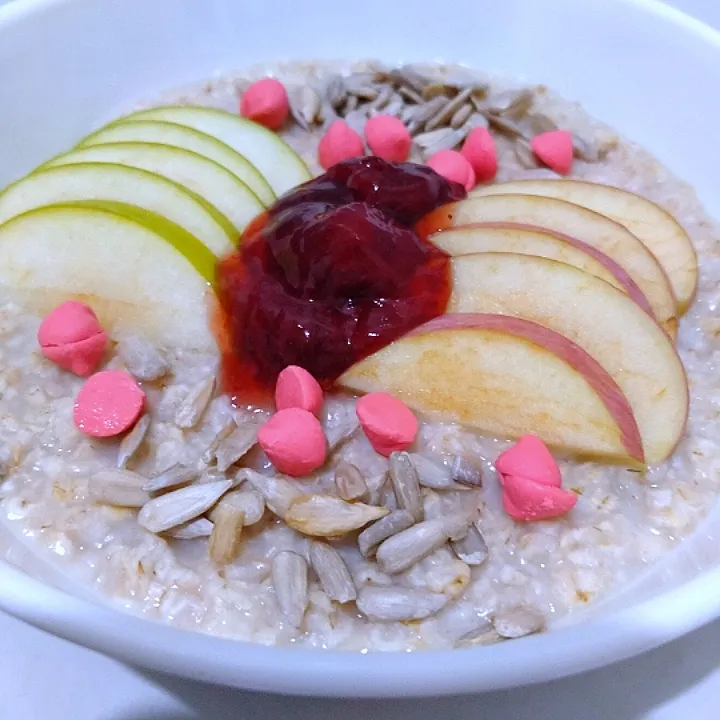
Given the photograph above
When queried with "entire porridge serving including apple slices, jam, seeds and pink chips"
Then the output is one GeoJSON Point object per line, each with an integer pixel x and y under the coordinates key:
{"type": "Point", "coordinates": [398, 519]}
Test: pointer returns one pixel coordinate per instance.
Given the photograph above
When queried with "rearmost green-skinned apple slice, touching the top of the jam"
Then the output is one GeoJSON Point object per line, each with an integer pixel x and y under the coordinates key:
{"type": "Point", "coordinates": [282, 167]}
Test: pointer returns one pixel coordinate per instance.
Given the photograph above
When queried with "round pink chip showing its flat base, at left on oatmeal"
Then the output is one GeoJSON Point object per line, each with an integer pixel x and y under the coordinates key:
{"type": "Point", "coordinates": [108, 404]}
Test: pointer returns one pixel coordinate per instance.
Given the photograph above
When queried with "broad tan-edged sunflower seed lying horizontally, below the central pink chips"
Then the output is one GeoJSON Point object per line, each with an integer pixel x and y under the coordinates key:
{"type": "Point", "coordinates": [325, 516]}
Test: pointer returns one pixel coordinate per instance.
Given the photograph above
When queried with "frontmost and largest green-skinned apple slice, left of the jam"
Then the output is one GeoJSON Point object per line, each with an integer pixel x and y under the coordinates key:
{"type": "Point", "coordinates": [137, 281]}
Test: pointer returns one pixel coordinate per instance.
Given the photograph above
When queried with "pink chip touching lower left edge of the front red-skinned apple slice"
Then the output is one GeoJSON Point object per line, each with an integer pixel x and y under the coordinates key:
{"type": "Point", "coordinates": [387, 422]}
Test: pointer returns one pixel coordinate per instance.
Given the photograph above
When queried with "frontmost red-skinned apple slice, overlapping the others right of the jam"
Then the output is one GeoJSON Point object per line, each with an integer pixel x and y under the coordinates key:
{"type": "Point", "coordinates": [507, 377]}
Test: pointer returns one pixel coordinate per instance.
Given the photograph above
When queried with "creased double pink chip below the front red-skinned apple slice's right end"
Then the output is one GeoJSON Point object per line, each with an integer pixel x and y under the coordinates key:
{"type": "Point", "coordinates": [531, 482]}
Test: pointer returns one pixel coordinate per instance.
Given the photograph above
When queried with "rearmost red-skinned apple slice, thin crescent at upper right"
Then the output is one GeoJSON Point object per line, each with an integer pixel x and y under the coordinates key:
{"type": "Point", "coordinates": [656, 228]}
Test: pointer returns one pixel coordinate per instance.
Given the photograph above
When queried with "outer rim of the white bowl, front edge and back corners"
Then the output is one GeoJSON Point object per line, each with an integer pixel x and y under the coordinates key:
{"type": "Point", "coordinates": [563, 652]}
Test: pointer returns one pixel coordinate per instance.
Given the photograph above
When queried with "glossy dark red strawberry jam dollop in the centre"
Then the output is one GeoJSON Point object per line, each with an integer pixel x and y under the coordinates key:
{"type": "Point", "coordinates": [332, 273]}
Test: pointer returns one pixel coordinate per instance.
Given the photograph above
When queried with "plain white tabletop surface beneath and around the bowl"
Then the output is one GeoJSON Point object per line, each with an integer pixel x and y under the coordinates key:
{"type": "Point", "coordinates": [42, 678]}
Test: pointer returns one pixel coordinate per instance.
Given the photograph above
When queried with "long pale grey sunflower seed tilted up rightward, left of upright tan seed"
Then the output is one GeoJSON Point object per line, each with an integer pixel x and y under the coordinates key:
{"type": "Point", "coordinates": [180, 506]}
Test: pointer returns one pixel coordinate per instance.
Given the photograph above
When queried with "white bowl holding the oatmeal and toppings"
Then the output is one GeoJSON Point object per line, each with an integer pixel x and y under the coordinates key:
{"type": "Point", "coordinates": [650, 71]}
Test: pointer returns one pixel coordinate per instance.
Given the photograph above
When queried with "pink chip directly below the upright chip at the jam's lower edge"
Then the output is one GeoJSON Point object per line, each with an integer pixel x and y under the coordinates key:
{"type": "Point", "coordinates": [294, 441]}
